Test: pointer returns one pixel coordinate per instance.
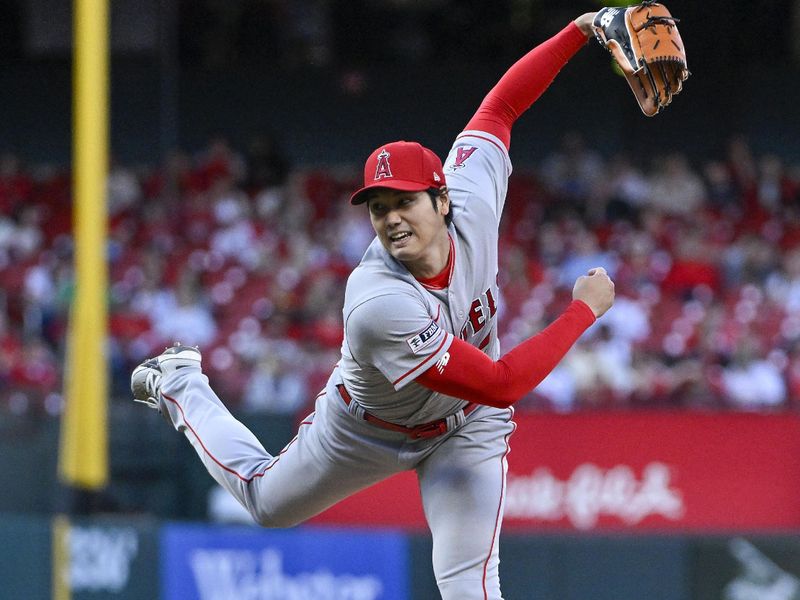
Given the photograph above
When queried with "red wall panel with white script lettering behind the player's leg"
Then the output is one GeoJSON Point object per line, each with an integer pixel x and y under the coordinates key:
{"type": "Point", "coordinates": [628, 472]}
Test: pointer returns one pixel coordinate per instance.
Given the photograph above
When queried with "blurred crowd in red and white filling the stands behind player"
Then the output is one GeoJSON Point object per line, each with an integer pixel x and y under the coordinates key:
{"type": "Point", "coordinates": [243, 254]}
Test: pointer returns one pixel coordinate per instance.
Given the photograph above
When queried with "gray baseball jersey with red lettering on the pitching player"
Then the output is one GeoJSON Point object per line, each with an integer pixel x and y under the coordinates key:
{"type": "Point", "coordinates": [395, 328]}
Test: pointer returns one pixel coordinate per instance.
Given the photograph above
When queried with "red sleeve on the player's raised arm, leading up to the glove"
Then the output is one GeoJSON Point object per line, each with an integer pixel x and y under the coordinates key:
{"type": "Point", "coordinates": [524, 82]}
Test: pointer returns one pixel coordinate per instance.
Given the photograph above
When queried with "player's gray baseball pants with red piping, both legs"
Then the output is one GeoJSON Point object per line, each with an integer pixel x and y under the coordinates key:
{"type": "Point", "coordinates": [461, 473]}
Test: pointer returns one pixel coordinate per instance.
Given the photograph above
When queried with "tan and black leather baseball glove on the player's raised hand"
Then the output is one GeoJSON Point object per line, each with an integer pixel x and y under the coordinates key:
{"type": "Point", "coordinates": [645, 42]}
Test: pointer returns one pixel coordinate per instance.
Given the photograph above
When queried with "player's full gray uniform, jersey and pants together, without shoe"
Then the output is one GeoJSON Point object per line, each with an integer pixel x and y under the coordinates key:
{"type": "Point", "coordinates": [395, 329]}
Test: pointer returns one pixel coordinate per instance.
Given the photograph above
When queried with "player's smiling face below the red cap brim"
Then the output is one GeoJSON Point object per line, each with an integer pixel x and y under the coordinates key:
{"type": "Point", "coordinates": [411, 229]}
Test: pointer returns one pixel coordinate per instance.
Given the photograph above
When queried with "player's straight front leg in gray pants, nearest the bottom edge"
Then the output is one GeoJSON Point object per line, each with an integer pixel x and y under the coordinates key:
{"type": "Point", "coordinates": [462, 486]}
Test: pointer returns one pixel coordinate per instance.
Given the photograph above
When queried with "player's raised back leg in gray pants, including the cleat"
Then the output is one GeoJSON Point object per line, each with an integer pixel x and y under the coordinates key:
{"type": "Point", "coordinates": [278, 491]}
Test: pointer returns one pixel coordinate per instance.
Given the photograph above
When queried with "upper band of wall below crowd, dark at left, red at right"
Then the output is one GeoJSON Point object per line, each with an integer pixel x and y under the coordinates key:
{"type": "Point", "coordinates": [629, 472]}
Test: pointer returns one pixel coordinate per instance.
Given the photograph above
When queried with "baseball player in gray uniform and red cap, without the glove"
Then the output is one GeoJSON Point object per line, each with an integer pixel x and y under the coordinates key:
{"type": "Point", "coordinates": [421, 383]}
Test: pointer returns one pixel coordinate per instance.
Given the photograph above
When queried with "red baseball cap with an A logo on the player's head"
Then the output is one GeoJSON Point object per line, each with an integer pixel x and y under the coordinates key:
{"type": "Point", "coordinates": [405, 166]}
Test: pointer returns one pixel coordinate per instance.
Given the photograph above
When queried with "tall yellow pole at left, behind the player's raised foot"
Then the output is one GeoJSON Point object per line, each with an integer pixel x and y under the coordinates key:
{"type": "Point", "coordinates": [83, 458]}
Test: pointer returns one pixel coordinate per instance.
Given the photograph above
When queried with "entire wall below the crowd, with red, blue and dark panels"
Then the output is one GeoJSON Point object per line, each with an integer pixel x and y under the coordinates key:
{"type": "Point", "coordinates": [716, 517]}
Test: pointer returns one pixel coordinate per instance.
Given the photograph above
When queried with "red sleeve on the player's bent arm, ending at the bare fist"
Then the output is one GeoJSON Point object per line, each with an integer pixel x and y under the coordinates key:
{"type": "Point", "coordinates": [471, 375]}
